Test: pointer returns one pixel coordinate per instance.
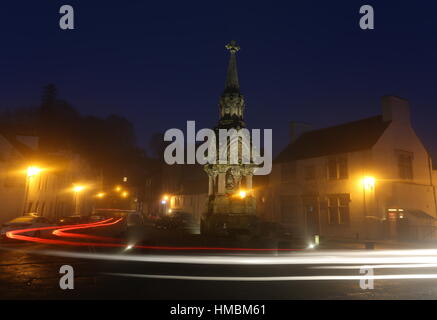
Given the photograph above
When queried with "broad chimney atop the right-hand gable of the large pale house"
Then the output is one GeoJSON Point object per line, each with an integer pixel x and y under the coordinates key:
{"type": "Point", "coordinates": [395, 109]}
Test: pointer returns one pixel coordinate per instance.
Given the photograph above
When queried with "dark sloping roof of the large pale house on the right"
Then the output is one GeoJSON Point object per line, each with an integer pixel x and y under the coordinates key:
{"type": "Point", "coordinates": [348, 137]}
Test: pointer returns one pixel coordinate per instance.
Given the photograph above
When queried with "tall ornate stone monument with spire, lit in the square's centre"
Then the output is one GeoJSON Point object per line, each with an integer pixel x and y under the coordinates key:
{"type": "Point", "coordinates": [231, 204]}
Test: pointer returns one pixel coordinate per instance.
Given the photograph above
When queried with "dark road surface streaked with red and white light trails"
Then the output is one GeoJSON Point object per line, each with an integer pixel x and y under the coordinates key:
{"type": "Point", "coordinates": [107, 267]}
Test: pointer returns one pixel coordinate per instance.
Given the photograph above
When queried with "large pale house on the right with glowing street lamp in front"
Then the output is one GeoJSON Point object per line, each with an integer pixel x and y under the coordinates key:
{"type": "Point", "coordinates": [367, 179]}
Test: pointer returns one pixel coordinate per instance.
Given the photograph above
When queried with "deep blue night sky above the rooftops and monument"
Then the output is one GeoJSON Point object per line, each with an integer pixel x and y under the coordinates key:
{"type": "Point", "coordinates": [162, 63]}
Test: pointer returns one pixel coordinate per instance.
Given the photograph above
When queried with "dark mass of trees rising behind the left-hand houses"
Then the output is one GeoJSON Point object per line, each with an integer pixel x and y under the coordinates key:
{"type": "Point", "coordinates": [108, 144]}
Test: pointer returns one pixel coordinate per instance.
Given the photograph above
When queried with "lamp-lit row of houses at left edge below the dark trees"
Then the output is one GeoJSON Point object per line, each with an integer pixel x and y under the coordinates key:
{"type": "Point", "coordinates": [46, 191]}
